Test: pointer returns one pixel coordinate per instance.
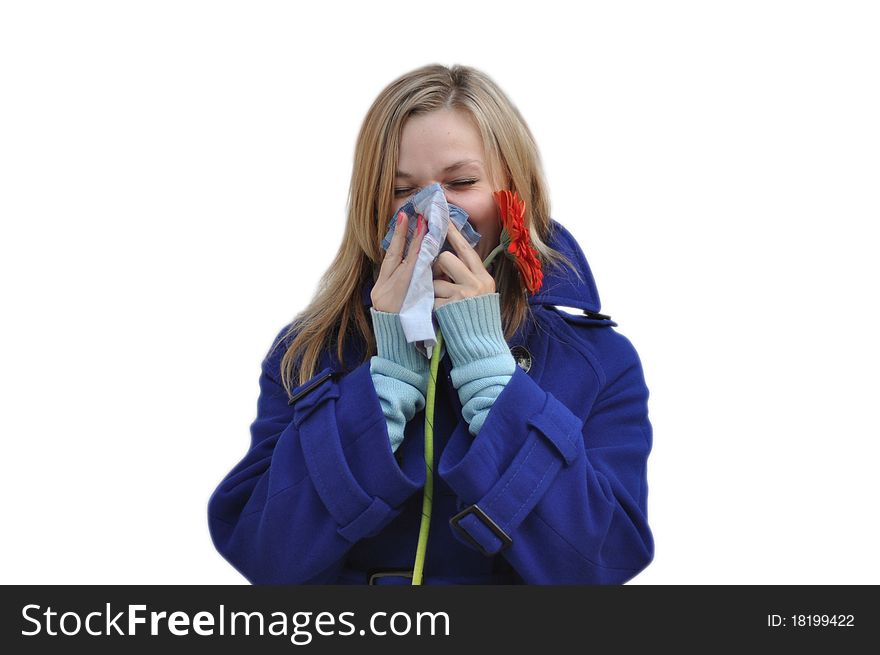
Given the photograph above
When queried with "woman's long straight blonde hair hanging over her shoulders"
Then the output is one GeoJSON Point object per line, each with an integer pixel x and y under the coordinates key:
{"type": "Point", "coordinates": [337, 310]}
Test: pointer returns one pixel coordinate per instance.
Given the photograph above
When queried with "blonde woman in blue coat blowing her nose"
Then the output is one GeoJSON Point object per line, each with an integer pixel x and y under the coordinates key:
{"type": "Point", "coordinates": [541, 430]}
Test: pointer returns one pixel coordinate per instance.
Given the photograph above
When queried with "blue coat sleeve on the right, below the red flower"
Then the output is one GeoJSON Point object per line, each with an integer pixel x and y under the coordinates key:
{"type": "Point", "coordinates": [563, 499]}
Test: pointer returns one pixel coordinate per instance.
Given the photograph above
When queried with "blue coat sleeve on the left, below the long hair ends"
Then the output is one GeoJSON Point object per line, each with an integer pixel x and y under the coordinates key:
{"type": "Point", "coordinates": [318, 477]}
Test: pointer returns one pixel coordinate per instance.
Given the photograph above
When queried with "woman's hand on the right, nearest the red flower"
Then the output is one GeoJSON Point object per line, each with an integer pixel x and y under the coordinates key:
{"type": "Point", "coordinates": [464, 276]}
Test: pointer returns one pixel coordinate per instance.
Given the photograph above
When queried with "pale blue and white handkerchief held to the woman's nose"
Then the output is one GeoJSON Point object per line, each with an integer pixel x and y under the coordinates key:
{"type": "Point", "coordinates": [416, 314]}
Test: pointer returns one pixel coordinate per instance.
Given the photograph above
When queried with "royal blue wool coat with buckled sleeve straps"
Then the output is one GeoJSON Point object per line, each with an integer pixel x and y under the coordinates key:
{"type": "Point", "coordinates": [553, 490]}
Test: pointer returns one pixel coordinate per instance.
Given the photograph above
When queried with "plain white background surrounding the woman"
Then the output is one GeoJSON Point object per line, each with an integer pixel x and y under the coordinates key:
{"type": "Point", "coordinates": [173, 179]}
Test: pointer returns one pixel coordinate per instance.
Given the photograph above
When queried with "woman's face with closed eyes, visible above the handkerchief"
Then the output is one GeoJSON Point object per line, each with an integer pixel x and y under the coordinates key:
{"type": "Point", "coordinates": [444, 146]}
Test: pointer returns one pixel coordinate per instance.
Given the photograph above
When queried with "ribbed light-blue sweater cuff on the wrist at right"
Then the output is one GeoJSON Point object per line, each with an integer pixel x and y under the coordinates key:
{"type": "Point", "coordinates": [472, 328]}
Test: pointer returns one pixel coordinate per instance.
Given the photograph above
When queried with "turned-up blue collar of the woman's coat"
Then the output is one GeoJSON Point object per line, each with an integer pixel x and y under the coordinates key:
{"type": "Point", "coordinates": [560, 286]}
